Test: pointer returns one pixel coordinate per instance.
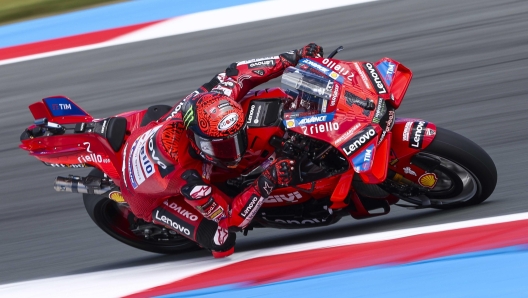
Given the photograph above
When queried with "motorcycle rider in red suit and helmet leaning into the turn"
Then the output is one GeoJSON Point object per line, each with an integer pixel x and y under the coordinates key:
{"type": "Point", "coordinates": [175, 155]}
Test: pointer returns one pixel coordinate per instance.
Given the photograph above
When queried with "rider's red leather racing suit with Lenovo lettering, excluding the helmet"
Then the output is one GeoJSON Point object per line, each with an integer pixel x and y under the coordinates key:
{"type": "Point", "coordinates": [174, 189]}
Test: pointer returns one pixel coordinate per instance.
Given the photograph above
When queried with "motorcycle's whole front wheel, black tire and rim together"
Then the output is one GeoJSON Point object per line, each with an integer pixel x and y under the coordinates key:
{"type": "Point", "coordinates": [466, 175]}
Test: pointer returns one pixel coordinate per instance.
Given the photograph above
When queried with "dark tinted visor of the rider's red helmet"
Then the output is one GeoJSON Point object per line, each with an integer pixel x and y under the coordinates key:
{"type": "Point", "coordinates": [225, 149]}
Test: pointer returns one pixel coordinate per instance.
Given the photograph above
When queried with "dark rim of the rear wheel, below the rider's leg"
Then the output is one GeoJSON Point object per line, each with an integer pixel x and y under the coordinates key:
{"type": "Point", "coordinates": [112, 220]}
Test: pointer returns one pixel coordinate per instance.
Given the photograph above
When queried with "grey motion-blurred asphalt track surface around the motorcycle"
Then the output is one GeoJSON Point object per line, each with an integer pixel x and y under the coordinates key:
{"type": "Point", "coordinates": [470, 64]}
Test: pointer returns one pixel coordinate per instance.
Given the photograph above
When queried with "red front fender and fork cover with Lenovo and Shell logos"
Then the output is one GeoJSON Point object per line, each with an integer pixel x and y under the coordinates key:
{"type": "Point", "coordinates": [411, 136]}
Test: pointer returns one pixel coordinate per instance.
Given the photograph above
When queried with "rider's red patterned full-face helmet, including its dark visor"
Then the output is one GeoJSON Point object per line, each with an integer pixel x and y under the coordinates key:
{"type": "Point", "coordinates": [216, 128]}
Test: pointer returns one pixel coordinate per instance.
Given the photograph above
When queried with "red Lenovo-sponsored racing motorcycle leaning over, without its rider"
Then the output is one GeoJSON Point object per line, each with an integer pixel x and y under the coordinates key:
{"type": "Point", "coordinates": [336, 118]}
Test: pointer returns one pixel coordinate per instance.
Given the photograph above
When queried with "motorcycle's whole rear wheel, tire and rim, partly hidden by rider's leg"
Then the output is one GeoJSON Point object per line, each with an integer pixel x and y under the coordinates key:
{"type": "Point", "coordinates": [112, 218]}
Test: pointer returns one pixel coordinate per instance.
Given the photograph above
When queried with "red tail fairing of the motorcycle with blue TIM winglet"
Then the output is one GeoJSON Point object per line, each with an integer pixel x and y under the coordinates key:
{"type": "Point", "coordinates": [88, 147]}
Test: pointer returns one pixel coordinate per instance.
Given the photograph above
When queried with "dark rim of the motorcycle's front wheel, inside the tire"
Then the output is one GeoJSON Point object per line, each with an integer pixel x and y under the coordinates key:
{"type": "Point", "coordinates": [455, 183]}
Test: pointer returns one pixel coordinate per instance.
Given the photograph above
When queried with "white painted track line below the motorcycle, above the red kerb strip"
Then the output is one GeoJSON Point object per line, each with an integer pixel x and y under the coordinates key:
{"type": "Point", "coordinates": [121, 282]}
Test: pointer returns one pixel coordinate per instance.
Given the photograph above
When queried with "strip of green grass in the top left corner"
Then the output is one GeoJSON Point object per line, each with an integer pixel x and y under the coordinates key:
{"type": "Point", "coordinates": [19, 10]}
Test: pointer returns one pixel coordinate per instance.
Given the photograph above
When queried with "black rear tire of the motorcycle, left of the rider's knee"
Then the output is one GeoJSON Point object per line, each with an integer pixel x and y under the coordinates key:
{"type": "Point", "coordinates": [107, 216]}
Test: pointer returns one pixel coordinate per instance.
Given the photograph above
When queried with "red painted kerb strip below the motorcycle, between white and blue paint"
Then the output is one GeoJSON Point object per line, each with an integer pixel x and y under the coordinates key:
{"type": "Point", "coordinates": [313, 262]}
